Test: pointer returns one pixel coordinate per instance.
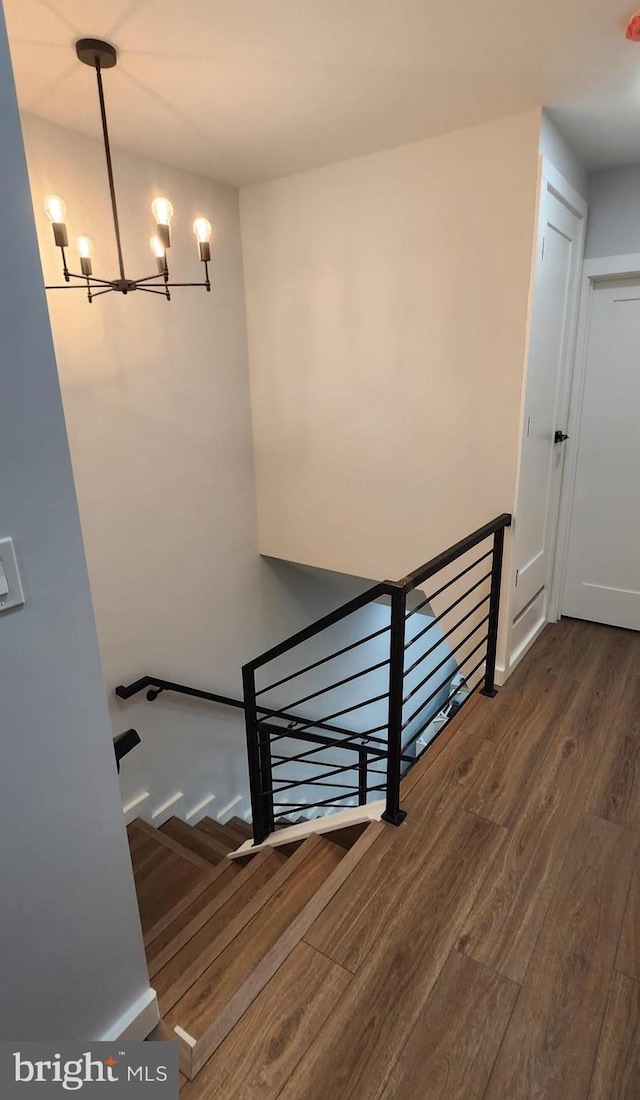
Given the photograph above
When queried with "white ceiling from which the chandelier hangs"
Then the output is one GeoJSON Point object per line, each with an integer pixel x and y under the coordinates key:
{"type": "Point", "coordinates": [244, 91]}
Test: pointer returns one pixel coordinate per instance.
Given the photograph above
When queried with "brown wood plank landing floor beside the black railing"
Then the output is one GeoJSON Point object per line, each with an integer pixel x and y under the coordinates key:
{"type": "Point", "coordinates": [490, 948]}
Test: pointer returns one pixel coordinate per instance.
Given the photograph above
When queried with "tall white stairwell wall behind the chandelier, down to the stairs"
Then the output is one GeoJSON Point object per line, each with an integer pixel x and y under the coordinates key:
{"type": "Point", "coordinates": [158, 409]}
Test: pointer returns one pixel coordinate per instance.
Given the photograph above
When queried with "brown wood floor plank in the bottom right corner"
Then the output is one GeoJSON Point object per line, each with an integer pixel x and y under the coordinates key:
{"type": "Point", "coordinates": [617, 1070]}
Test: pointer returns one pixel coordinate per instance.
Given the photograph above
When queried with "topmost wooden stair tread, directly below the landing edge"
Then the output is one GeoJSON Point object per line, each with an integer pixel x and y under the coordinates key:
{"type": "Point", "coordinates": [226, 975]}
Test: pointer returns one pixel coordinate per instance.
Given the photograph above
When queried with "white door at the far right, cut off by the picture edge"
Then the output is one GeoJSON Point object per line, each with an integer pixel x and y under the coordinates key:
{"type": "Point", "coordinates": [603, 569]}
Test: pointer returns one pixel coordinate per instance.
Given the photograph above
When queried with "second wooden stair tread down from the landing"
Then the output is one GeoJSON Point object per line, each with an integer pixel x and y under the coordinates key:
{"type": "Point", "coordinates": [191, 936]}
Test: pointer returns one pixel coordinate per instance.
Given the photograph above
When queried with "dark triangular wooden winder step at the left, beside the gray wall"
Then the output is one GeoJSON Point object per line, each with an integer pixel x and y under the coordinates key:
{"type": "Point", "coordinates": [163, 872]}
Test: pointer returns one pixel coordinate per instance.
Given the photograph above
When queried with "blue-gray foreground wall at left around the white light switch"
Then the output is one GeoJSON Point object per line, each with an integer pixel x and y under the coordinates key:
{"type": "Point", "coordinates": [72, 950]}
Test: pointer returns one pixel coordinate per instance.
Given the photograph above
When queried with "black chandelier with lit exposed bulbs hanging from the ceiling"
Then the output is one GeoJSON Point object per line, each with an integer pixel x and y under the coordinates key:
{"type": "Point", "coordinates": [103, 56]}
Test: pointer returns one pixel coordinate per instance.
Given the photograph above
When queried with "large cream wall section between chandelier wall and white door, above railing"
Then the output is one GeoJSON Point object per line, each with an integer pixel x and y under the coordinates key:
{"type": "Point", "coordinates": [388, 303]}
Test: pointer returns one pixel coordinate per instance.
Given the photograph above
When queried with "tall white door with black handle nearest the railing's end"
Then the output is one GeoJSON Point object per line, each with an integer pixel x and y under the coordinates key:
{"type": "Point", "coordinates": [553, 342]}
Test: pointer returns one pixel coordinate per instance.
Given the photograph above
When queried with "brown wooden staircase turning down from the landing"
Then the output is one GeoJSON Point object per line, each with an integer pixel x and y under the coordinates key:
{"type": "Point", "coordinates": [216, 929]}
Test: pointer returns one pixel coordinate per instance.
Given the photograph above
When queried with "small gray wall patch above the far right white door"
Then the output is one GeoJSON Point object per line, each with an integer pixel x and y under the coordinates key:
{"type": "Point", "coordinates": [614, 222]}
